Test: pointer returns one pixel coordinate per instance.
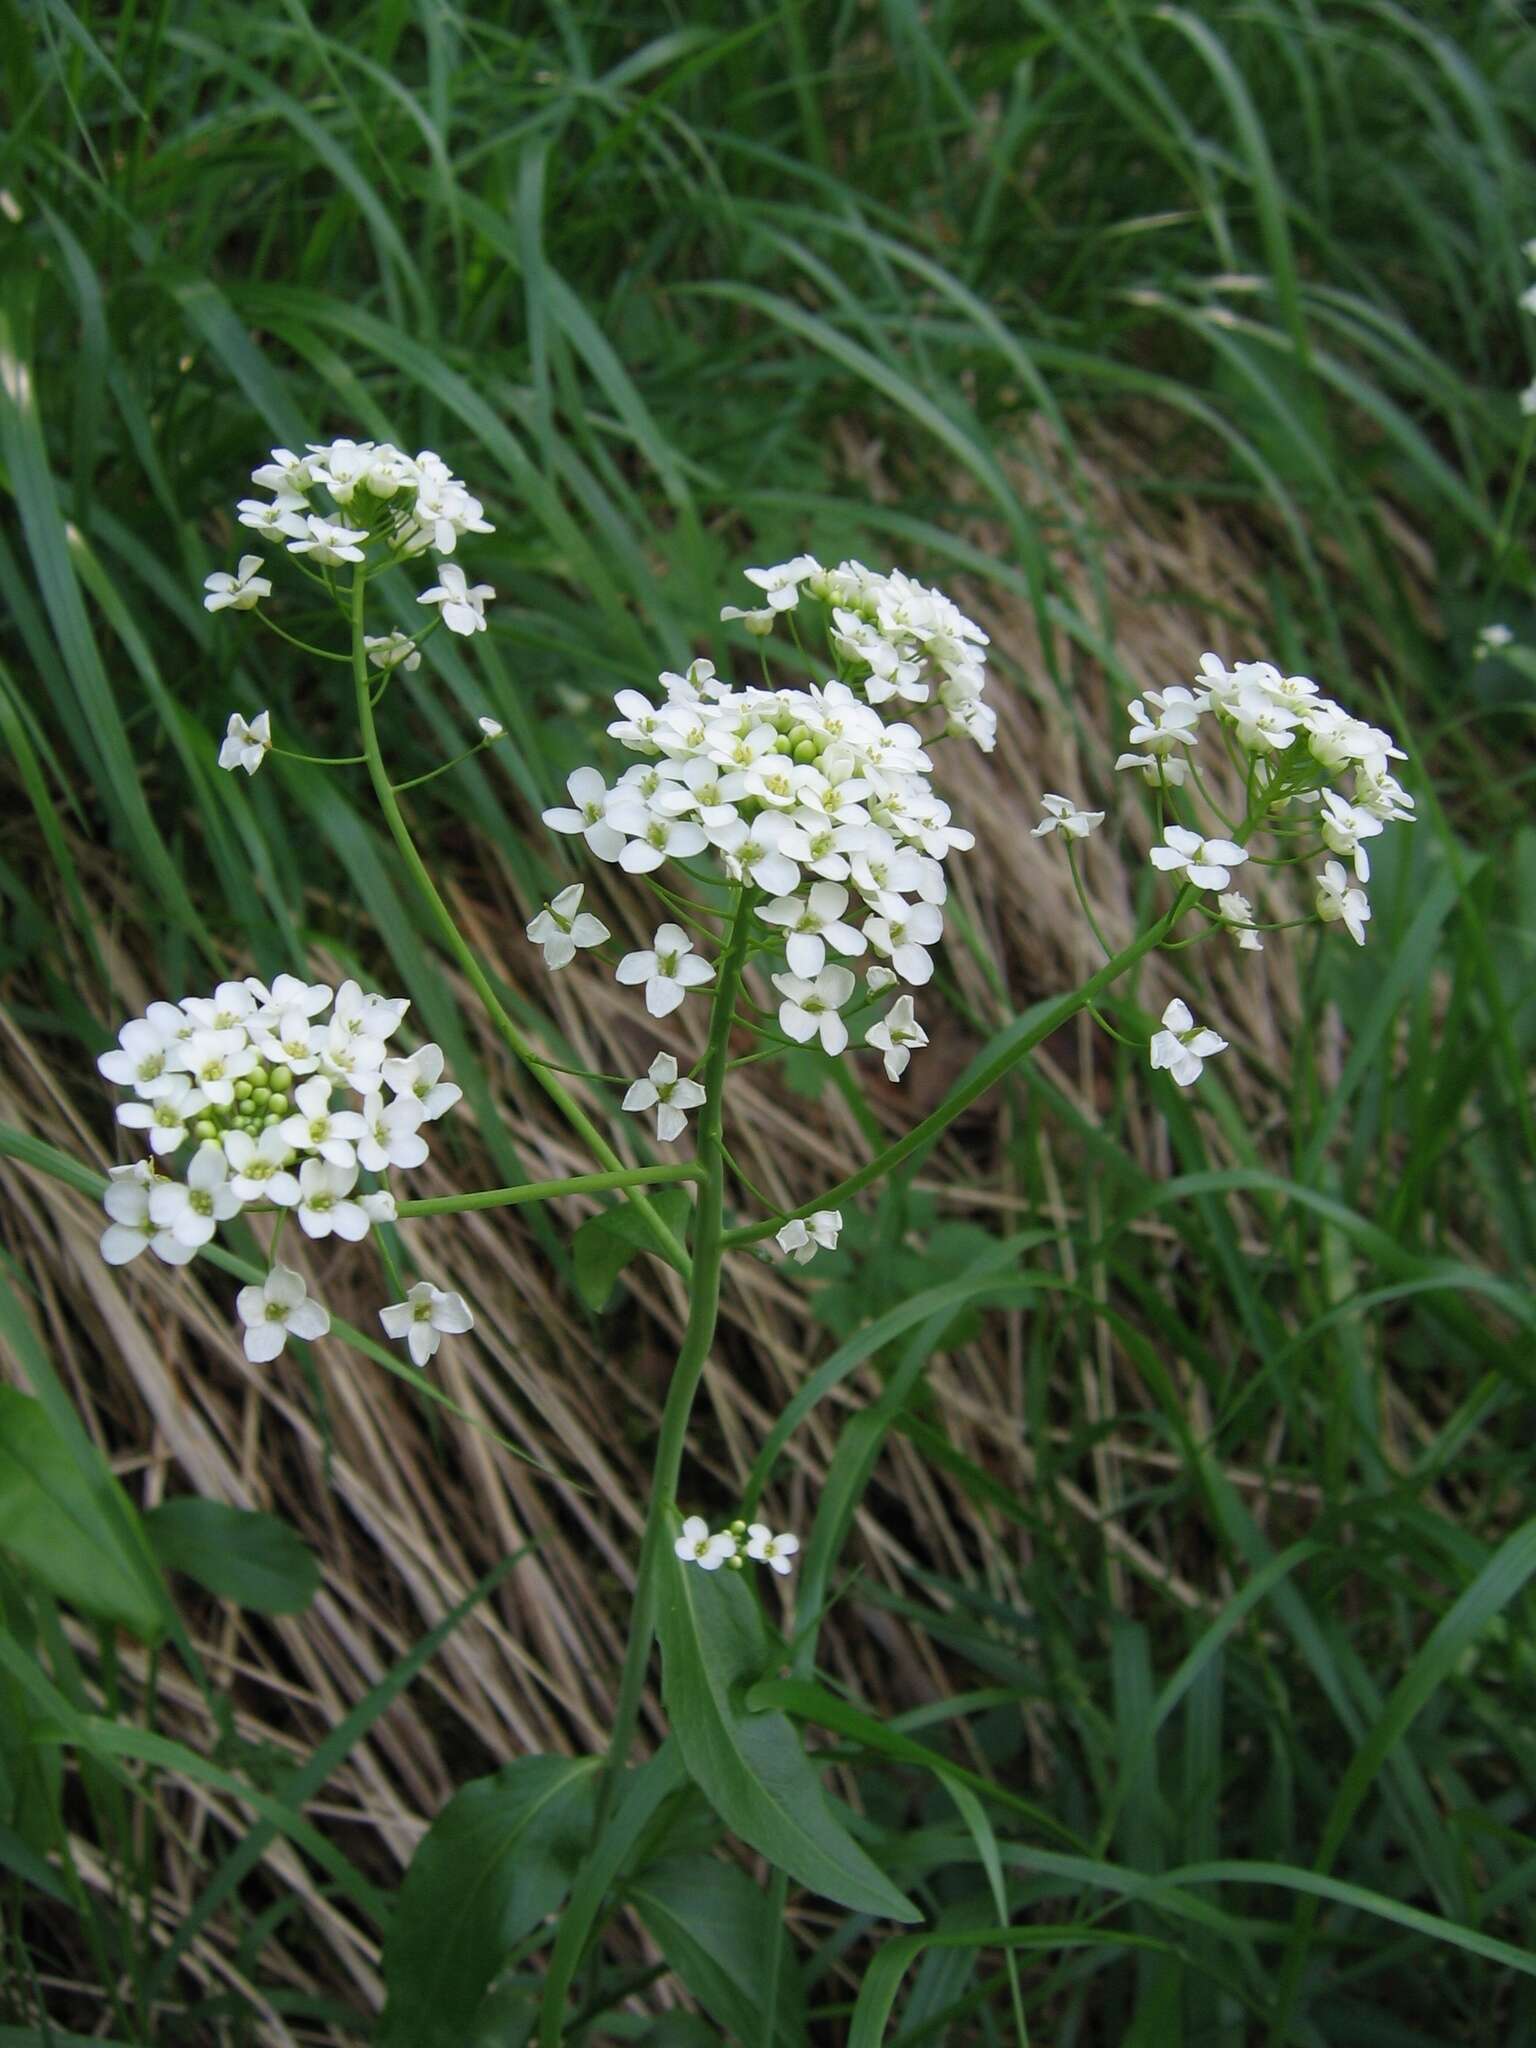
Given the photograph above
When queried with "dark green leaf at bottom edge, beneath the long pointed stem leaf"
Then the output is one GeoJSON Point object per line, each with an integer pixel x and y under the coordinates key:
{"type": "Point", "coordinates": [716, 1928]}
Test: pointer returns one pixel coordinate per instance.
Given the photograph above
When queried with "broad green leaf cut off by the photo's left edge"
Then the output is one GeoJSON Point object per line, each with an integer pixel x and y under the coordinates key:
{"type": "Point", "coordinates": [54, 1521]}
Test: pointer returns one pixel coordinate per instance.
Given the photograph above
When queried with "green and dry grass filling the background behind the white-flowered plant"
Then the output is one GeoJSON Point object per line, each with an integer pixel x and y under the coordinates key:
{"type": "Point", "coordinates": [1136, 329]}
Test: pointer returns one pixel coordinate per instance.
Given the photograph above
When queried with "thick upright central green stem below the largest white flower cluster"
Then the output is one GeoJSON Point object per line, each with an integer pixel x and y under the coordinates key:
{"type": "Point", "coordinates": [697, 1340]}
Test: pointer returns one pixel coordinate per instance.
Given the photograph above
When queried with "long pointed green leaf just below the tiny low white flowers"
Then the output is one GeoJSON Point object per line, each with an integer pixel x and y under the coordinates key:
{"type": "Point", "coordinates": [751, 1766]}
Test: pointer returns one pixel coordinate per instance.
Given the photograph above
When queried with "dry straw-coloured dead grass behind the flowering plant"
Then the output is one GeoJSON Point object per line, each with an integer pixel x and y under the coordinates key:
{"type": "Point", "coordinates": [409, 1512]}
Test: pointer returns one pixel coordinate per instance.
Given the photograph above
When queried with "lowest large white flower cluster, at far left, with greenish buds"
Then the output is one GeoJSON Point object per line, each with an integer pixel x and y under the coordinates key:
{"type": "Point", "coordinates": [245, 1084]}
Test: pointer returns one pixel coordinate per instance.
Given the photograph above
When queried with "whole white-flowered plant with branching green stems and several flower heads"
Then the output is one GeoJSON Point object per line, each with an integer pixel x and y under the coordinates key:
{"type": "Point", "coordinates": [798, 851]}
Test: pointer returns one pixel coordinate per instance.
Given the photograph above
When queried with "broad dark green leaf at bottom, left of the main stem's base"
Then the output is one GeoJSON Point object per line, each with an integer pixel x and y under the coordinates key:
{"type": "Point", "coordinates": [497, 1861]}
